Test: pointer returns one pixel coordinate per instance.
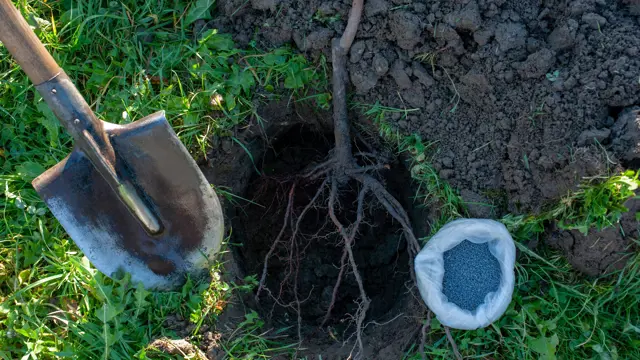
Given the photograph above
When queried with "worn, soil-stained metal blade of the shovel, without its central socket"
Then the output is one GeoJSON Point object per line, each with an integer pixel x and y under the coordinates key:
{"type": "Point", "coordinates": [149, 156]}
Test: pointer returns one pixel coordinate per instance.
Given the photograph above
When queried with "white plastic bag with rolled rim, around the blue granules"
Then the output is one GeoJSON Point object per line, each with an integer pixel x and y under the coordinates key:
{"type": "Point", "coordinates": [429, 267]}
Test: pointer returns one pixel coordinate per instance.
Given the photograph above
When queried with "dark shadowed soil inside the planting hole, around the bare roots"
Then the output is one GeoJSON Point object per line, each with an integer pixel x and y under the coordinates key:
{"type": "Point", "coordinates": [290, 139]}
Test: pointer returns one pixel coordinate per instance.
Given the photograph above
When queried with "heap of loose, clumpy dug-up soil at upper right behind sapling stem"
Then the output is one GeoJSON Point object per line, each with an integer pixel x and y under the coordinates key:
{"type": "Point", "coordinates": [524, 98]}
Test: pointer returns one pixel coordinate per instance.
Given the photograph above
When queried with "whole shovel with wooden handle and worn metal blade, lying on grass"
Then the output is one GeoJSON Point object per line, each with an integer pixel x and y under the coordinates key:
{"type": "Point", "coordinates": [130, 196]}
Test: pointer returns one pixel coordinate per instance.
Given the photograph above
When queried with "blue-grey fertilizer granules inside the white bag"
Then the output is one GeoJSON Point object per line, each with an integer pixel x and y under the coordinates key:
{"type": "Point", "coordinates": [470, 273]}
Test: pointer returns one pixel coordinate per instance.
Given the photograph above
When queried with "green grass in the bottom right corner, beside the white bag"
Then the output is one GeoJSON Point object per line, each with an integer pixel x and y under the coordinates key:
{"type": "Point", "coordinates": [557, 314]}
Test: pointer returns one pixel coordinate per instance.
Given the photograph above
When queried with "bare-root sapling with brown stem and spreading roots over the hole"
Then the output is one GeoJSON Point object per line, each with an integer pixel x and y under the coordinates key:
{"type": "Point", "coordinates": [340, 168]}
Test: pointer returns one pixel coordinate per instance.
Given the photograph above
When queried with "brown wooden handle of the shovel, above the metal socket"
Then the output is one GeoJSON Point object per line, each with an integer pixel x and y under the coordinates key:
{"type": "Point", "coordinates": [24, 45]}
